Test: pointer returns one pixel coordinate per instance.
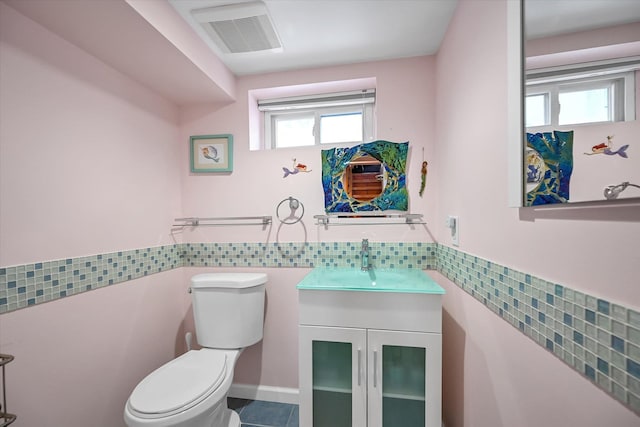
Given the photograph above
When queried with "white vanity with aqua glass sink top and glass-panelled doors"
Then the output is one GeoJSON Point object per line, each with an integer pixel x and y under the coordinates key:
{"type": "Point", "coordinates": [370, 348]}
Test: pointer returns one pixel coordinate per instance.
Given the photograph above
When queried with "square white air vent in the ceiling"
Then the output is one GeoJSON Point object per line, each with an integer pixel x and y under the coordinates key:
{"type": "Point", "coordinates": [239, 27]}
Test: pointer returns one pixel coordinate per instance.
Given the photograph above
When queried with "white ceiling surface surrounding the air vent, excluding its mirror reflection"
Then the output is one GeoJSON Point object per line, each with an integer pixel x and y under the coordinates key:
{"type": "Point", "coordinates": [317, 33]}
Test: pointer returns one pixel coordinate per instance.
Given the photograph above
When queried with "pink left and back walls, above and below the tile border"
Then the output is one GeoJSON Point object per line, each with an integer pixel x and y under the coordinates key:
{"type": "Point", "coordinates": [97, 126]}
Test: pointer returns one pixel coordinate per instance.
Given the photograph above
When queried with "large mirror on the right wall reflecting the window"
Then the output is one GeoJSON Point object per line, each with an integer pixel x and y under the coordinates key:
{"type": "Point", "coordinates": [581, 101]}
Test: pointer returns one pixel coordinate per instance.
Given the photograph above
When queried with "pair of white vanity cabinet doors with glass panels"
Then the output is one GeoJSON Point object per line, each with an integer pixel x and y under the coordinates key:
{"type": "Point", "coordinates": [366, 377]}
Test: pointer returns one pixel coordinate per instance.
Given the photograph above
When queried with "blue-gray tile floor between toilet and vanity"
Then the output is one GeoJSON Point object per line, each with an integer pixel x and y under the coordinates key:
{"type": "Point", "coordinates": [258, 413]}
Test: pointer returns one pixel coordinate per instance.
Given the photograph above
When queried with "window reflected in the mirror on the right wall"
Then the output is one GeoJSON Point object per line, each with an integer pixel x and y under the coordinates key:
{"type": "Point", "coordinates": [594, 93]}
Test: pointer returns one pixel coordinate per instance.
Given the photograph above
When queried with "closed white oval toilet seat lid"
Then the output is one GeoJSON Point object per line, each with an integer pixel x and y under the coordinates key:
{"type": "Point", "coordinates": [179, 385]}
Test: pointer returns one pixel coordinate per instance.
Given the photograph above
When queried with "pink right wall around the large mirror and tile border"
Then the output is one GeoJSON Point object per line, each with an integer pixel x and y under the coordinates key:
{"type": "Point", "coordinates": [494, 375]}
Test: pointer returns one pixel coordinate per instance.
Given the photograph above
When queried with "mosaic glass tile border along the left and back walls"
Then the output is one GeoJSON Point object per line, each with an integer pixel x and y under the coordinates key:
{"type": "Point", "coordinates": [36, 283]}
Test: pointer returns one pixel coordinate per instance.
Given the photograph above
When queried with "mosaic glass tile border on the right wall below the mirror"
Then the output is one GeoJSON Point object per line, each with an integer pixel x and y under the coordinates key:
{"type": "Point", "coordinates": [597, 338]}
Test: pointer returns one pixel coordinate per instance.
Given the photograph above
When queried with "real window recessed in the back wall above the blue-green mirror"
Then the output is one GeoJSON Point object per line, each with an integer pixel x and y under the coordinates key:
{"type": "Point", "coordinates": [335, 118]}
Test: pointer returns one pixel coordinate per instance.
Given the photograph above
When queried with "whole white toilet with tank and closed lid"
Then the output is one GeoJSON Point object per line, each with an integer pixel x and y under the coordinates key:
{"type": "Point", "coordinates": [191, 391]}
